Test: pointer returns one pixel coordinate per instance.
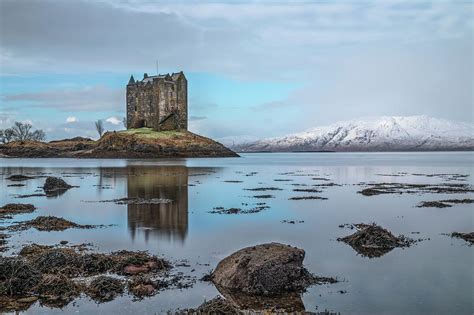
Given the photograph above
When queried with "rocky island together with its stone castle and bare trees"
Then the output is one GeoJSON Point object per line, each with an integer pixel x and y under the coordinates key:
{"type": "Point", "coordinates": [156, 127]}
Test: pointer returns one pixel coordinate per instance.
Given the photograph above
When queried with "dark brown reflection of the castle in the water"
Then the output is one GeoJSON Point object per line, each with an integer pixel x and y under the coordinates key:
{"type": "Point", "coordinates": [165, 220]}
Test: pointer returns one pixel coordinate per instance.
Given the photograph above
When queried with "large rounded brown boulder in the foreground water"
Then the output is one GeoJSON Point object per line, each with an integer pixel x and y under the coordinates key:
{"type": "Point", "coordinates": [267, 269]}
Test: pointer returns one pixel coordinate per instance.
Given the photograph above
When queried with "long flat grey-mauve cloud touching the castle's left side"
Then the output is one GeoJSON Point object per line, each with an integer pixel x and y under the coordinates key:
{"type": "Point", "coordinates": [94, 98]}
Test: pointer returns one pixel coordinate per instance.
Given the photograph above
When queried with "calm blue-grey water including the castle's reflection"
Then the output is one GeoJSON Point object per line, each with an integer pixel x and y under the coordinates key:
{"type": "Point", "coordinates": [433, 277]}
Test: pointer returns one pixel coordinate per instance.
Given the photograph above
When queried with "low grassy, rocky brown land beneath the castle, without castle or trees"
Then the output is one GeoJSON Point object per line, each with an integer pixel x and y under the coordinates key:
{"type": "Point", "coordinates": [138, 143]}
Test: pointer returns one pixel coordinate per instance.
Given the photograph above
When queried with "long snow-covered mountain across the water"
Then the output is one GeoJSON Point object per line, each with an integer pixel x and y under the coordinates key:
{"type": "Point", "coordinates": [397, 133]}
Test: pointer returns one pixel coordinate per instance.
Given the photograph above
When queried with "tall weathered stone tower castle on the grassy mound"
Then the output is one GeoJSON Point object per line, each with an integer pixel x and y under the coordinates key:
{"type": "Point", "coordinates": [159, 102]}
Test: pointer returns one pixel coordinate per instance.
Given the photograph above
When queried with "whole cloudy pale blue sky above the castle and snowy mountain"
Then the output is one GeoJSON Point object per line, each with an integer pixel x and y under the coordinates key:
{"type": "Point", "coordinates": [255, 68]}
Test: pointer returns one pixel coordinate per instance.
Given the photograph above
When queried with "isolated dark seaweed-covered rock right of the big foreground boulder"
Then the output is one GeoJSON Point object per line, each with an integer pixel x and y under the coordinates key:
{"type": "Point", "coordinates": [372, 240]}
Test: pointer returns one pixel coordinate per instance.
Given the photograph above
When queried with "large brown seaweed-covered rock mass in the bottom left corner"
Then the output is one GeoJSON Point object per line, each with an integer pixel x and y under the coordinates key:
{"type": "Point", "coordinates": [48, 274]}
